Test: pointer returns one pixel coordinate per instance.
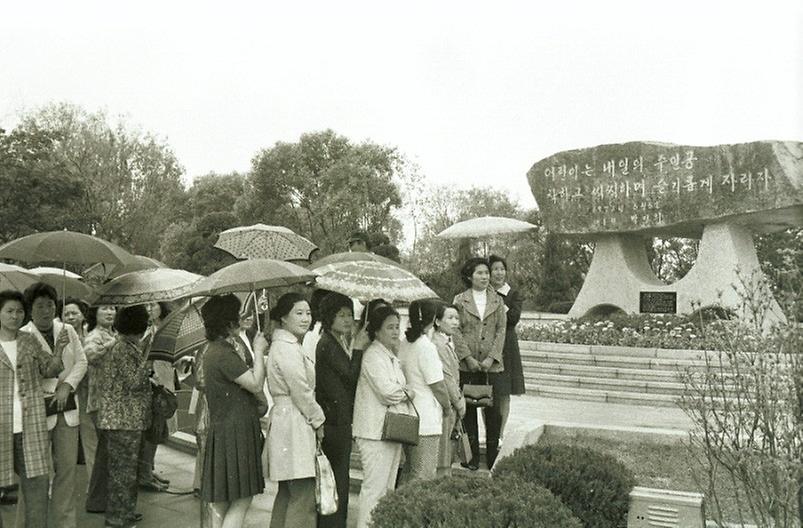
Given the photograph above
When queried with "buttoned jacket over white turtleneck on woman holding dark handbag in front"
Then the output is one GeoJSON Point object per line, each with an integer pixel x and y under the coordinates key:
{"type": "Point", "coordinates": [480, 337]}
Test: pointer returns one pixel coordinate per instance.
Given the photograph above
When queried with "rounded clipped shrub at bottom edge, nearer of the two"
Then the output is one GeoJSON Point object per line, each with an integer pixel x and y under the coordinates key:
{"type": "Point", "coordinates": [472, 502]}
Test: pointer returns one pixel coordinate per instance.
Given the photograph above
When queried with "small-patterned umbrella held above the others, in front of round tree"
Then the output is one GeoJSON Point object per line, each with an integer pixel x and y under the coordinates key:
{"type": "Point", "coordinates": [265, 242]}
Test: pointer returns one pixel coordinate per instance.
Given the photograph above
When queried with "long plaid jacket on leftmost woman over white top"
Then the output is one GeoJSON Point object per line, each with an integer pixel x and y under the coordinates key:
{"type": "Point", "coordinates": [33, 364]}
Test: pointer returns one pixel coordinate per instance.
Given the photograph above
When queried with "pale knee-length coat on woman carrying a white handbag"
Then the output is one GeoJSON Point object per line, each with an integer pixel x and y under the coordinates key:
{"type": "Point", "coordinates": [295, 414]}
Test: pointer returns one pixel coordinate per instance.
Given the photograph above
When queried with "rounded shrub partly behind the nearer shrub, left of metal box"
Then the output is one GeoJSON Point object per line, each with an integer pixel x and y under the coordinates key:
{"type": "Point", "coordinates": [595, 487]}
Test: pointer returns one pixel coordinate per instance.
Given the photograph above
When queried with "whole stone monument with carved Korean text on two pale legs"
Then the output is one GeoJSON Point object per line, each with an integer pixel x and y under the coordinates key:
{"type": "Point", "coordinates": [618, 195]}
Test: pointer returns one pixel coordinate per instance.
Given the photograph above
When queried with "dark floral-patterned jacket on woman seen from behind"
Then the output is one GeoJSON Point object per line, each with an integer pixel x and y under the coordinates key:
{"type": "Point", "coordinates": [123, 396]}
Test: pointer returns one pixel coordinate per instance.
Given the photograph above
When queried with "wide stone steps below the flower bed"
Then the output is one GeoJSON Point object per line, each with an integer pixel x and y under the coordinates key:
{"type": "Point", "coordinates": [638, 376]}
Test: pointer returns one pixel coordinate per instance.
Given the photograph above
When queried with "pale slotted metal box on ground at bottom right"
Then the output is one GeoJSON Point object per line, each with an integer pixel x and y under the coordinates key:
{"type": "Point", "coordinates": [657, 508]}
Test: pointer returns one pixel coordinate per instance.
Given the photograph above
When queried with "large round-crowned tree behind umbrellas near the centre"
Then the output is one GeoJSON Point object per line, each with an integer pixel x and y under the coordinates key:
{"type": "Point", "coordinates": [324, 187]}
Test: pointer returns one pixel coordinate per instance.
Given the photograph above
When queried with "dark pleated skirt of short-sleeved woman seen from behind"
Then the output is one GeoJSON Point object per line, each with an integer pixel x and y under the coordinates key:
{"type": "Point", "coordinates": [233, 461]}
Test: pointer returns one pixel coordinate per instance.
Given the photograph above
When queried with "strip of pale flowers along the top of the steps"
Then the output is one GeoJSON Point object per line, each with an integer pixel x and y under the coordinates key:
{"type": "Point", "coordinates": [637, 330]}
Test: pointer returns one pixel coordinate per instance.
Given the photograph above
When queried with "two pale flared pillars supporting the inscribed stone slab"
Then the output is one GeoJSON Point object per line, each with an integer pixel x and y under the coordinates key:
{"type": "Point", "coordinates": [727, 270]}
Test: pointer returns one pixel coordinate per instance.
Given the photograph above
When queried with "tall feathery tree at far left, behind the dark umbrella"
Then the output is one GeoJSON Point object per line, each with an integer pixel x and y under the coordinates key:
{"type": "Point", "coordinates": [131, 180]}
